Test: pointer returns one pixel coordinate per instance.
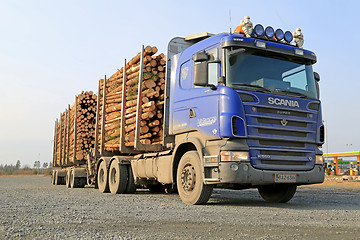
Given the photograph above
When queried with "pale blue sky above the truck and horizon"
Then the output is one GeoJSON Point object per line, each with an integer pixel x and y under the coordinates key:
{"type": "Point", "coordinates": [52, 50]}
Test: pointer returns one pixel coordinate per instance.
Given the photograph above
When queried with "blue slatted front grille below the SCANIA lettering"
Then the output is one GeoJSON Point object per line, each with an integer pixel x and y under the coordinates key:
{"type": "Point", "coordinates": [281, 138]}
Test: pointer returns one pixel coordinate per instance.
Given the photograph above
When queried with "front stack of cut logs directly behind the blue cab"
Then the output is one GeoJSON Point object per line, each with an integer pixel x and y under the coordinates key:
{"type": "Point", "coordinates": [153, 89]}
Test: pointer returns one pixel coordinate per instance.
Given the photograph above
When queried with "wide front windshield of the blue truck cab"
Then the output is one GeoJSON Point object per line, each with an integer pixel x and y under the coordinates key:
{"type": "Point", "coordinates": [250, 70]}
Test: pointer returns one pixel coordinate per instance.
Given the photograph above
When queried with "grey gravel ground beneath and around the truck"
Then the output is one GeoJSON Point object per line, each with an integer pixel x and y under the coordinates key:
{"type": "Point", "coordinates": [32, 208]}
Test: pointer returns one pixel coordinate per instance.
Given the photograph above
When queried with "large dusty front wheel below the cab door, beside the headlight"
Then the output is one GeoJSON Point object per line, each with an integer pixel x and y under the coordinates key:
{"type": "Point", "coordinates": [190, 181]}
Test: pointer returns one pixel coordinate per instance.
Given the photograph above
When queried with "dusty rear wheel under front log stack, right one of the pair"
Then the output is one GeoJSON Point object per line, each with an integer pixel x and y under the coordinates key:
{"type": "Point", "coordinates": [118, 177]}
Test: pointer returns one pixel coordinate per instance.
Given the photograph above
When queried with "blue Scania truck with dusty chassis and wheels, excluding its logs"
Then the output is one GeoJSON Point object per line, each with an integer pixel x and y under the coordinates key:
{"type": "Point", "coordinates": [240, 112]}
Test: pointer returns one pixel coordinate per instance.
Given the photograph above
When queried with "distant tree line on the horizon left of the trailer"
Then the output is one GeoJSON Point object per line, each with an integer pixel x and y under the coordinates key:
{"type": "Point", "coordinates": [17, 169]}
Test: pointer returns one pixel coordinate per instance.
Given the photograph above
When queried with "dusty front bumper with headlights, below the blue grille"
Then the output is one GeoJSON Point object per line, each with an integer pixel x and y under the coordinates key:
{"type": "Point", "coordinates": [245, 173]}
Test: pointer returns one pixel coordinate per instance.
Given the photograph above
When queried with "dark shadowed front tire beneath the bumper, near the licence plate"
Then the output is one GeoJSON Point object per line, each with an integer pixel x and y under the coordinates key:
{"type": "Point", "coordinates": [280, 193]}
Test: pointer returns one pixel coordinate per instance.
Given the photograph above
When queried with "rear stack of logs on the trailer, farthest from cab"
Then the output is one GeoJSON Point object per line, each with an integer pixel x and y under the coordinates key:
{"type": "Point", "coordinates": [85, 130]}
